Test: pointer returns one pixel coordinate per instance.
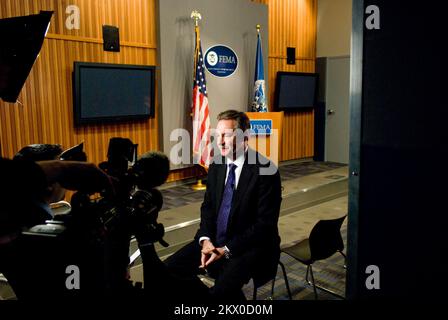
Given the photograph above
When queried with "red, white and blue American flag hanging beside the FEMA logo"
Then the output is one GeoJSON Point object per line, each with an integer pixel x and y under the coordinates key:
{"type": "Point", "coordinates": [202, 147]}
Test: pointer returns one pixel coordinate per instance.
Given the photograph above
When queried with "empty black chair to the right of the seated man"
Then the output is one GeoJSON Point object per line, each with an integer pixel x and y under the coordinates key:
{"type": "Point", "coordinates": [325, 240]}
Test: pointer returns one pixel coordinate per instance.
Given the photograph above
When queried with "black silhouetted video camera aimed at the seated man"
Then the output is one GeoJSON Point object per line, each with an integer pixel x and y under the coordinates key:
{"type": "Point", "coordinates": [136, 203]}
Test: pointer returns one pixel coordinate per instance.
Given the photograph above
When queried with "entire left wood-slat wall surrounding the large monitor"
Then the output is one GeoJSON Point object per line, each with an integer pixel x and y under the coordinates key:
{"type": "Point", "coordinates": [46, 115]}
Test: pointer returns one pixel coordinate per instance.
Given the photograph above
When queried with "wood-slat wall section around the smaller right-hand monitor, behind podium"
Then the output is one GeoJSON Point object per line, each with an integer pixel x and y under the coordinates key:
{"type": "Point", "coordinates": [293, 23]}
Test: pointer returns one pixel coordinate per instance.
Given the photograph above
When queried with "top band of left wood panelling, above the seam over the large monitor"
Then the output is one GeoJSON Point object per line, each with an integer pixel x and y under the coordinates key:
{"type": "Point", "coordinates": [136, 19]}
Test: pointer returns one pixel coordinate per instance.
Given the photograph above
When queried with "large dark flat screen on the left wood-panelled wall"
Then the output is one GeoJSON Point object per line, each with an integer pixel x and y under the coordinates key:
{"type": "Point", "coordinates": [112, 92]}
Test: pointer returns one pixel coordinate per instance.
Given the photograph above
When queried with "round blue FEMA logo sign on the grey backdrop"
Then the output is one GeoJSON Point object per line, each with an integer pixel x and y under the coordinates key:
{"type": "Point", "coordinates": [221, 61]}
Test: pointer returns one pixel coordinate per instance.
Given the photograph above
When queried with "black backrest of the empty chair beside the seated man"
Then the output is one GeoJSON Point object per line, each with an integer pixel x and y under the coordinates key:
{"type": "Point", "coordinates": [325, 238]}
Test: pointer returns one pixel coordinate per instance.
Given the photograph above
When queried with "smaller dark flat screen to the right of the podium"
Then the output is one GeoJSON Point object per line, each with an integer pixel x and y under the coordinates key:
{"type": "Point", "coordinates": [295, 91]}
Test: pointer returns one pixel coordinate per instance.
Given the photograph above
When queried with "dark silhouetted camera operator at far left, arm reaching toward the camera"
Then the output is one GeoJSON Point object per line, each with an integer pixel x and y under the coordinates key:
{"type": "Point", "coordinates": [31, 265]}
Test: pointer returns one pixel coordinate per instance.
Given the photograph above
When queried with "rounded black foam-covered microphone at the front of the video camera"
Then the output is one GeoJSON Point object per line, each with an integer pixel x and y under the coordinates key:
{"type": "Point", "coordinates": [151, 170]}
